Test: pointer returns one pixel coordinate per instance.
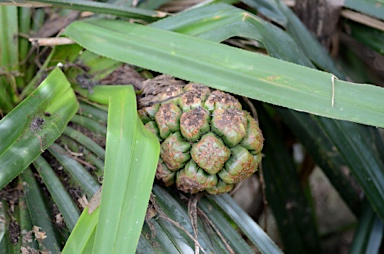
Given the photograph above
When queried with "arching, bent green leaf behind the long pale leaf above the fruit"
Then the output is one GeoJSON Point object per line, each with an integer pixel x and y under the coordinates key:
{"type": "Point", "coordinates": [219, 22]}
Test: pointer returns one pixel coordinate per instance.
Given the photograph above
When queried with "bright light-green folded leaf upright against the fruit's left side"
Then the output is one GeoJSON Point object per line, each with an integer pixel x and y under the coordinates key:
{"type": "Point", "coordinates": [131, 157]}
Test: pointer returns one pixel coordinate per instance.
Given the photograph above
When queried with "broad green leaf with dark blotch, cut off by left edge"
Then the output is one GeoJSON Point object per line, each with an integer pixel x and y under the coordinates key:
{"type": "Point", "coordinates": [34, 124]}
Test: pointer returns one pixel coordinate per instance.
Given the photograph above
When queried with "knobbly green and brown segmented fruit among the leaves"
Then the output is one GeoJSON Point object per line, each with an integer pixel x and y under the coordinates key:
{"type": "Point", "coordinates": [208, 143]}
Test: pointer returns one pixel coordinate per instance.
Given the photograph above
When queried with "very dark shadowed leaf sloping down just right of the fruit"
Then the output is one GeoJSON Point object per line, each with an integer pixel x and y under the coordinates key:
{"type": "Point", "coordinates": [285, 194]}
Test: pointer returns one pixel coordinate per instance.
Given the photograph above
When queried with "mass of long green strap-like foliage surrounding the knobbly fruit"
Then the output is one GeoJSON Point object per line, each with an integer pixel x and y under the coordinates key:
{"type": "Point", "coordinates": [189, 50]}
